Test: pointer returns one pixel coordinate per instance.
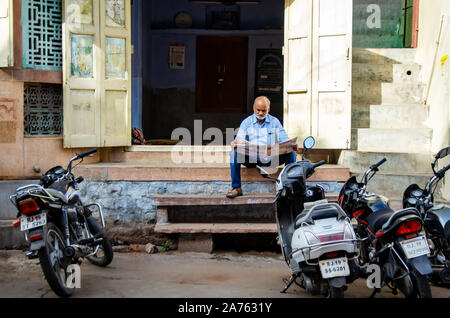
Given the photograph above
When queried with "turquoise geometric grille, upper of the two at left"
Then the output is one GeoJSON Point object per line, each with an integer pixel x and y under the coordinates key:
{"type": "Point", "coordinates": [42, 34]}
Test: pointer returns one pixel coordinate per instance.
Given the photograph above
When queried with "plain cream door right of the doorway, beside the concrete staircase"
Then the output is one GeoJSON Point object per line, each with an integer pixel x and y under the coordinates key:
{"type": "Point", "coordinates": [318, 61]}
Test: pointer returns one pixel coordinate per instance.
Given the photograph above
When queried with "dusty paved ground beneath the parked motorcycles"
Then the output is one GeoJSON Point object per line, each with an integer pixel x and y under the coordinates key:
{"type": "Point", "coordinates": [171, 274]}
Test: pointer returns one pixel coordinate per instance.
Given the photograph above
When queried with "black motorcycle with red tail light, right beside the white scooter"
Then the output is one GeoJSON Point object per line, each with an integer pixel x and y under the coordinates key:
{"type": "Point", "coordinates": [393, 240]}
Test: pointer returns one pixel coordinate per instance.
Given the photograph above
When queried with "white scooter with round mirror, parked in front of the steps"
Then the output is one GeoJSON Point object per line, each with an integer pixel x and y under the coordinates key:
{"type": "Point", "coordinates": [316, 237]}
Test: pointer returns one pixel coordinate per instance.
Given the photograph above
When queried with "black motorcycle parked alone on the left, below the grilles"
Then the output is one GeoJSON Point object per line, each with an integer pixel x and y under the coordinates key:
{"type": "Point", "coordinates": [61, 230]}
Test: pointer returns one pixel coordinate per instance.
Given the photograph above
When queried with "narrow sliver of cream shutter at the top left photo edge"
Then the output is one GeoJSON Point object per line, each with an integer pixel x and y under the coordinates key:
{"type": "Point", "coordinates": [6, 33]}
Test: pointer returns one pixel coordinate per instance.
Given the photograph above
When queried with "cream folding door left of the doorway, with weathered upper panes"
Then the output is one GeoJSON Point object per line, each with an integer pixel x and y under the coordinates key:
{"type": "Point", "coordinates": [97, 73]}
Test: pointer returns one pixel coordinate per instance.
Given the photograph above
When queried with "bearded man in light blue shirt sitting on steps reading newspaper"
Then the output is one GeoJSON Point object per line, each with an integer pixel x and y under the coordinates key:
{"type": "Point", "coordinates": [261, 140]}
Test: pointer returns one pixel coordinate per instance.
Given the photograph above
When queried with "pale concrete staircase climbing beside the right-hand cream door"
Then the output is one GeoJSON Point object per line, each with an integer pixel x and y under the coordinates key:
{"type": "Point", "coordinates": [389, 121]}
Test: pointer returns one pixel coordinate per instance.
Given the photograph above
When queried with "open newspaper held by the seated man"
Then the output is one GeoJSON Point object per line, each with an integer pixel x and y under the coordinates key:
{"type": "Point", "coordinates": [264, 151]}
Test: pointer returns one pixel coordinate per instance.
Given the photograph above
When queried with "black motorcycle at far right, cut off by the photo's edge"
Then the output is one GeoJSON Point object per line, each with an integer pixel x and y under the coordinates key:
{"type": "Point", "coordinates": [436, 220]}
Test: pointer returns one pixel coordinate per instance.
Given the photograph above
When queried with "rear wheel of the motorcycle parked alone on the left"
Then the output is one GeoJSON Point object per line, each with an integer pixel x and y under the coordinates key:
{"type": "Point", "coordinates": [53, 263]}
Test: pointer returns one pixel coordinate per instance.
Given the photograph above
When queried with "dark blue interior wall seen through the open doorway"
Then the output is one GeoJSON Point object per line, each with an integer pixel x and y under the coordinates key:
{"type": "Point", "coordinates": [169, 94]}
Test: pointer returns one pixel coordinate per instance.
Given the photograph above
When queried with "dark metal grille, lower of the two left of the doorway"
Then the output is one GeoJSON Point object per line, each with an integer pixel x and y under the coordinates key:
{"type": "Point", "coordinates": [43, 110]}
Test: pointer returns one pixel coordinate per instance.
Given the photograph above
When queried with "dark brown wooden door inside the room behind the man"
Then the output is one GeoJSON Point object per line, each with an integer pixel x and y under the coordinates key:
{"type": "Point", "coordinates": [221, 84]}
